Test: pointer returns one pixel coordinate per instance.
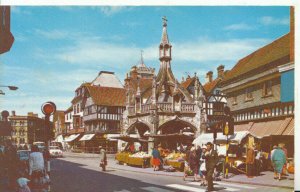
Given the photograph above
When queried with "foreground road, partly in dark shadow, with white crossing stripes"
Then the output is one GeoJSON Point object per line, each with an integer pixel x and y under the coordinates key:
{"type": "Point", "coordinates": [78, 174]}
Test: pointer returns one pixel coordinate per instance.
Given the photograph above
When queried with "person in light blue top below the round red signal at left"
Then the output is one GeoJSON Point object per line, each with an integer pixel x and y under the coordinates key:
{"type": "Point", "coordinates": [36, 170]}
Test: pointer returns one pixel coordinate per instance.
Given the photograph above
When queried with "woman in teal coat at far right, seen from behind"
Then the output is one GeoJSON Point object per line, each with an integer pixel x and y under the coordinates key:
{"type": "Point", "coordinates": [278, 161]}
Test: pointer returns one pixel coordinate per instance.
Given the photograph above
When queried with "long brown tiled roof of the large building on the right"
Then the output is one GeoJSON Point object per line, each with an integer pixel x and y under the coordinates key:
{"type": "Point", "coordinates": [267, 54]}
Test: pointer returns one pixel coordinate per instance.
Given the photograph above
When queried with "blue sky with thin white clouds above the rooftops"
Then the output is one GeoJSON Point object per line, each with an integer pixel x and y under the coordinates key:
{"type": "Point", "coordinates": [58, 48]}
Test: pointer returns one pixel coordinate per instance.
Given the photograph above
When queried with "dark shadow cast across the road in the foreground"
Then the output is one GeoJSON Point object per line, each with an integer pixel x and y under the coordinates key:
{"type": "Point", "coordinates": [73, 177]}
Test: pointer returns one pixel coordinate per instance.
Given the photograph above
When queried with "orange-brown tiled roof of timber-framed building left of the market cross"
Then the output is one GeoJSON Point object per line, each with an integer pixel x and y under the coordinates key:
{"type": "Point", "coordinates": [107, 96]}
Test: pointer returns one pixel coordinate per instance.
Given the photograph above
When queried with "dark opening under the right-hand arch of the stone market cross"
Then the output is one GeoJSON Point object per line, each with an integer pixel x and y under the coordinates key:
{"type": "Point", "coordinates": [175, 125]}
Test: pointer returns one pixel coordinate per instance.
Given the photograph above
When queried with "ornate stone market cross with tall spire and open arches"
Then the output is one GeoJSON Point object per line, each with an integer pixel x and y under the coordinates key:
{"type": "Point", "coordinates": [161, 105]}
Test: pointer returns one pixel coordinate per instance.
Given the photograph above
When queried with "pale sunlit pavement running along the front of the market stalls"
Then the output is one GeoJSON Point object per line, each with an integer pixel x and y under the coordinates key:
{"type": "Point", "coordinates": [265, 179]}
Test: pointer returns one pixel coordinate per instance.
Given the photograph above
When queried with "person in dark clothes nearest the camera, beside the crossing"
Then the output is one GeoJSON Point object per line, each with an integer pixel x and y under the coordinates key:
{"type": "Point", "coordinates": [211, 159]}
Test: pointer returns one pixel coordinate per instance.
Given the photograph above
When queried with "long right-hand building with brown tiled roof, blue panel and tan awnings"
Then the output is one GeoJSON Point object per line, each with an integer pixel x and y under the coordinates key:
{"type": "Point", "coordinates": [257, 94]}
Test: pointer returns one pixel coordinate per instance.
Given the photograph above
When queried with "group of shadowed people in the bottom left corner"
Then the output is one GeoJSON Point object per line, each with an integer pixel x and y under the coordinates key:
{"type": "Point", "coordinates": [22, 176]}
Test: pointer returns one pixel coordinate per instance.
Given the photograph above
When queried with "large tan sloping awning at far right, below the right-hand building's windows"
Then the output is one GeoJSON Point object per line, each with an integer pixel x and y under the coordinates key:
{"type": "Point", "coordinates": [267, 128]}
